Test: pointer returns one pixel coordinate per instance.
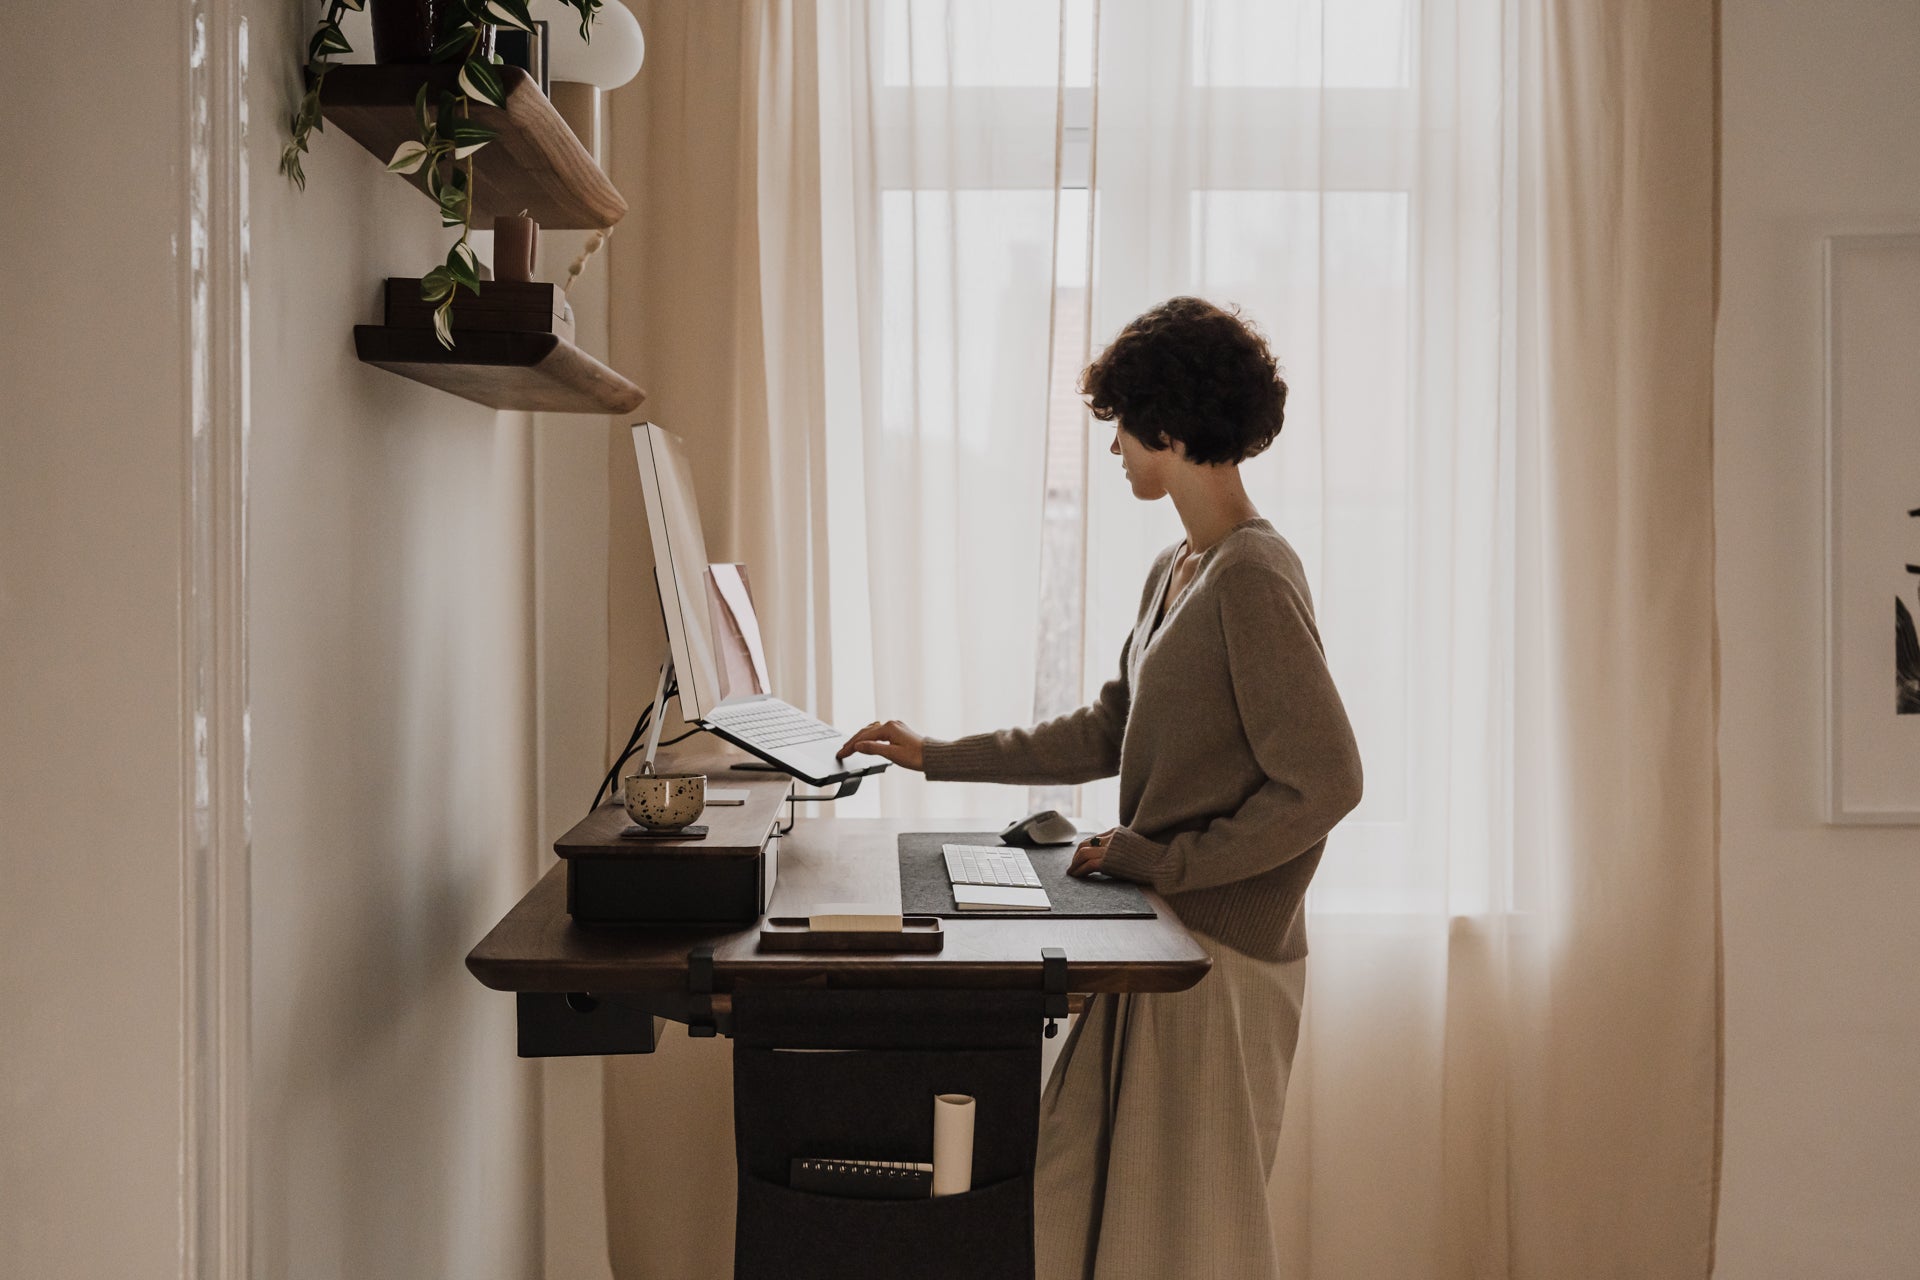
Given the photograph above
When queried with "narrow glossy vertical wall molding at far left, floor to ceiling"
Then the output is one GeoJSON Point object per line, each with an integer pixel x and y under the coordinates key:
{"type": "Point", "coordinates": [216, 849]}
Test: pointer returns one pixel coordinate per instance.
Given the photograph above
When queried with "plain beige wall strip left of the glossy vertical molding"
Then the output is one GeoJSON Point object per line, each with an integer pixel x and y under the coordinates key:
{"type": "Point", "coordinates": [93, 500]}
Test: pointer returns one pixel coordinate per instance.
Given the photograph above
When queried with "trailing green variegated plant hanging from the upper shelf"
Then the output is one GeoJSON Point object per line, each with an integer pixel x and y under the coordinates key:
{"type": "Point", "coordinates": [448, 135]}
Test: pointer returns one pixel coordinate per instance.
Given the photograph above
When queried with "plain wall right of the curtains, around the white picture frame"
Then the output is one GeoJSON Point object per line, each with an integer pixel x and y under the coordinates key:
{"type": "Point", "coordinates": [1823, 955]}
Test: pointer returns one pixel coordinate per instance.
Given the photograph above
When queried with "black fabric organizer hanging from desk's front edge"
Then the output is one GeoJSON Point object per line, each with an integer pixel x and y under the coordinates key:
{"type": "Point", "coordinates": [871, 1097]}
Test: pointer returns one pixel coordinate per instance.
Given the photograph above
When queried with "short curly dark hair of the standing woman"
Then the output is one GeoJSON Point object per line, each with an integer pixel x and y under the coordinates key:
{"type": "Point", "coordinates": [1195, 373]}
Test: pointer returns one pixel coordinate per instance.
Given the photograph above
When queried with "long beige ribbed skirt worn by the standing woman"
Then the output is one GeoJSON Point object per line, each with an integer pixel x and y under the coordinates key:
{"type": "Point", "coordinates": [1161, 1124]}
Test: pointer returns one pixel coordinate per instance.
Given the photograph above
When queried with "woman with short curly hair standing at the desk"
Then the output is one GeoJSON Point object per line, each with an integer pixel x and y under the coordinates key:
{"type": "Point", "coordinates": [1236, 761]}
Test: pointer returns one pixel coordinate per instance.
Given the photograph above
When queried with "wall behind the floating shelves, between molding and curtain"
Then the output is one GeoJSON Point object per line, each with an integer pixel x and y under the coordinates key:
{"type": "Point", "coordinates": [429, 669]}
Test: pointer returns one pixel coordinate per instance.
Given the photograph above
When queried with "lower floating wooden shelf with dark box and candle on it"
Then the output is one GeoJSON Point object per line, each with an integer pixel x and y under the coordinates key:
{"type": "Point", "coordinates": [542, 373]}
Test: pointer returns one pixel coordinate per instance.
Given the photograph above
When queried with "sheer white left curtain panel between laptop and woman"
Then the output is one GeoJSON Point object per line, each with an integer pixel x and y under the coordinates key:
{"type": "Point", "coordinates": [940, 131]}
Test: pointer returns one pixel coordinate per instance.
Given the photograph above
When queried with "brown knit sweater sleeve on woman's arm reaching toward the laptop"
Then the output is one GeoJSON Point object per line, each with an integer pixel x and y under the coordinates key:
{"type": "Point", "coordinates": [1059, 753]}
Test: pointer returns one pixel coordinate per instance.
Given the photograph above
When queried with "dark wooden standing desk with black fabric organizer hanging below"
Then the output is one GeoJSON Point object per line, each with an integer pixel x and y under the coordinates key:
{"type": "Point", "coordinates": [961, 1020]}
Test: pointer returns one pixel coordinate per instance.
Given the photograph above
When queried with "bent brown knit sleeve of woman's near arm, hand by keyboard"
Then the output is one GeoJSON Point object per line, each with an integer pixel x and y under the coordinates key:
{"type": "Point", "coordinates": [1299, 734]}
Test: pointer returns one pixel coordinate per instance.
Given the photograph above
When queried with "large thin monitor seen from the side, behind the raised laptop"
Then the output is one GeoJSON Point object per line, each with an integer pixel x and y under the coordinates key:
{"type": "Point", "coordinates": [681, 571]}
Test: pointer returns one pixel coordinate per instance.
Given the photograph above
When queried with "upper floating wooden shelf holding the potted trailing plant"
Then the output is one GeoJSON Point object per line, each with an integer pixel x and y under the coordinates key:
{"type": "Point", "coordinates": [537, 164]}
